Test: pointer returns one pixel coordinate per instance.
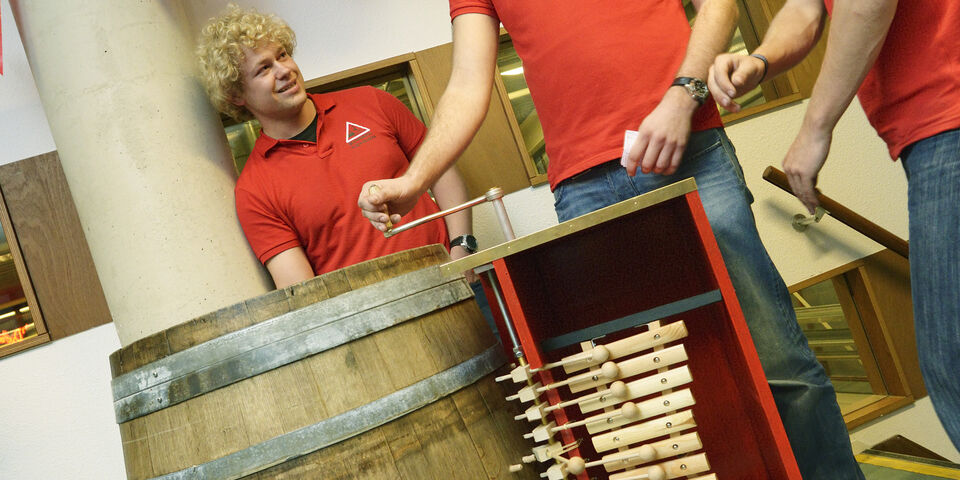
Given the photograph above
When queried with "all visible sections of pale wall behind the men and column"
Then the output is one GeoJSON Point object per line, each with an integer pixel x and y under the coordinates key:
{"type": "Point", "coordinates": [64, 427]}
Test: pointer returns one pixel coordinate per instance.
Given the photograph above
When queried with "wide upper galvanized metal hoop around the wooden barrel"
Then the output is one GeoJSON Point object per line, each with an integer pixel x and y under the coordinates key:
{"type": "Point", "coordinates": [282, 340]}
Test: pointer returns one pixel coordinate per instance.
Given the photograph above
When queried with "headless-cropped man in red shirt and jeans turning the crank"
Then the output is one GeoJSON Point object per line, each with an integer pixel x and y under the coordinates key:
{"type": "Point", "coordinates": [595, 70]}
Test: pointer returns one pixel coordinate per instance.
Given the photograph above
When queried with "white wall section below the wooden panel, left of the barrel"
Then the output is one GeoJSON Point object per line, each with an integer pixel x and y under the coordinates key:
{"type": "Point", "coordinates": [58, 418]}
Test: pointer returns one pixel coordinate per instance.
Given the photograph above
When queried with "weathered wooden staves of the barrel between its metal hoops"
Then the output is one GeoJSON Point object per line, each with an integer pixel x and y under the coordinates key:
{"type": "Point", "coordinates": [471, 430]}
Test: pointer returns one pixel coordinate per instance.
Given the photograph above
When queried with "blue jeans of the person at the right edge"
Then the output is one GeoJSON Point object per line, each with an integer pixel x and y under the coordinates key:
{"type": "Point", "coordinates": [933, 198]}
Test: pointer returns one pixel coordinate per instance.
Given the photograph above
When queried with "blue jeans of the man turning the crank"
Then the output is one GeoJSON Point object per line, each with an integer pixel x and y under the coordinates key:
{"type": "Point", "coordinates": [804, 395]}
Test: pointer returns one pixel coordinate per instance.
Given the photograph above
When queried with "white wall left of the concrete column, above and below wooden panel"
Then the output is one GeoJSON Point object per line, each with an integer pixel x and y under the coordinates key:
{"type": "Point", "coordinates": [58, 414]}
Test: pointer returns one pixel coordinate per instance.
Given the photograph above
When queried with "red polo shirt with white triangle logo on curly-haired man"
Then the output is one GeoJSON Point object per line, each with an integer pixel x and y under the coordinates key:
{"type": "Point", "coordinates": [293, 193]}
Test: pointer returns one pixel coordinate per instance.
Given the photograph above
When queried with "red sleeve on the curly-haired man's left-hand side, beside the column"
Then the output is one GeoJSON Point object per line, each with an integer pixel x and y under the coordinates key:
{"type": "Point", "coordinates": [265, 230]}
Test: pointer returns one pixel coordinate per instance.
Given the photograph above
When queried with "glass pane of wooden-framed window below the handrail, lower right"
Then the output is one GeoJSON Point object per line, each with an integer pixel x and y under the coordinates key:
{"type": "Point", "coordinates": [828, 329]}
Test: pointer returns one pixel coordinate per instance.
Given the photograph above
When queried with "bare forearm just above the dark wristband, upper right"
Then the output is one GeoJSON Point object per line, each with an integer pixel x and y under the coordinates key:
{"type": "Point", "coordinates": [793, 33]}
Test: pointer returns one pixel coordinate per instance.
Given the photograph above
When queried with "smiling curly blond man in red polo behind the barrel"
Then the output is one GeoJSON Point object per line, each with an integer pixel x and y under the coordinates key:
{"type": "Point", "coordinates": [296, 195]}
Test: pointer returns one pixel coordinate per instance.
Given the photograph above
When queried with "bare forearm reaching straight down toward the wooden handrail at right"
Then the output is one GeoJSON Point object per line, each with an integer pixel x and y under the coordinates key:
{"type": "Point", "coordinates": [858, 30]}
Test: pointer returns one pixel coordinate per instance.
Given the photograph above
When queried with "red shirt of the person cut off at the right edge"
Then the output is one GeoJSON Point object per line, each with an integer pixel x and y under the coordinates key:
{"type": "Point", "coordinates": [913, 90]}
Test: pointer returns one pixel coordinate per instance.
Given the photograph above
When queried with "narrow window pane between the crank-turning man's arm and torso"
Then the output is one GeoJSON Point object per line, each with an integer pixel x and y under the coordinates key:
{"type": "Point", "coordinates": [511, 73]}
